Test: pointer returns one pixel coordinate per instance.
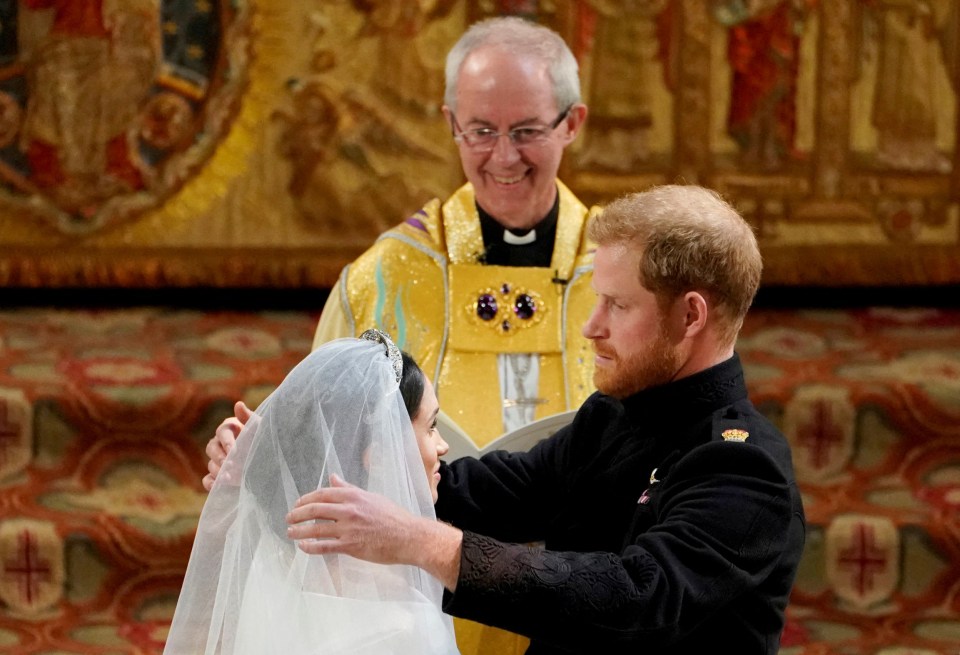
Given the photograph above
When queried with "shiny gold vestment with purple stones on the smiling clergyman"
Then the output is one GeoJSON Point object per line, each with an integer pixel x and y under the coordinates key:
{"type": "Point", "coordinates": [421, 282]}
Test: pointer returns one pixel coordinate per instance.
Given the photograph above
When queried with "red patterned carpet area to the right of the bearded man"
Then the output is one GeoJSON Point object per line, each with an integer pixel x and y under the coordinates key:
{"type": "Point", "coordinates": [870, 401]}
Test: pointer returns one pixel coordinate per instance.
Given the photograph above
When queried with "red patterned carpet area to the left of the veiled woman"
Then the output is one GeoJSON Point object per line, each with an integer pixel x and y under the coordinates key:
{"type": "Point", "coordinates": [102, 421]}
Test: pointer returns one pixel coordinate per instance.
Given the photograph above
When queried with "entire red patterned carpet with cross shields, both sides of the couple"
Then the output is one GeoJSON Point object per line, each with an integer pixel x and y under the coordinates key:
{"type": "Point", "coordinates": [103, 416]}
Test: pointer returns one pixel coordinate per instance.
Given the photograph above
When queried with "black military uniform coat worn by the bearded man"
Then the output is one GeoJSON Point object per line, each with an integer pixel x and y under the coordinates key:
{"type": "Point", "coordinates": [671, 523]}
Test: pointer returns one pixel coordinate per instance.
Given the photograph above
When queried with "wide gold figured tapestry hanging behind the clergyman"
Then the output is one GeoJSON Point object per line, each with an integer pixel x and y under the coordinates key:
{"type": "Point", "coordinates": [245, 142]}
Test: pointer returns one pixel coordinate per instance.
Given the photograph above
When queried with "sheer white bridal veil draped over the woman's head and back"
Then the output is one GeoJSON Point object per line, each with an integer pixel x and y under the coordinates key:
{"type": "Point", "coordinates": [248, 589]}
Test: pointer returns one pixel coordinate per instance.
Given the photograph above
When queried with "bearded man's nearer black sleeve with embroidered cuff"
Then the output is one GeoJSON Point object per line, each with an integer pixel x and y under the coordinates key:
{"type": "Point", "coordinates": [722, 516]}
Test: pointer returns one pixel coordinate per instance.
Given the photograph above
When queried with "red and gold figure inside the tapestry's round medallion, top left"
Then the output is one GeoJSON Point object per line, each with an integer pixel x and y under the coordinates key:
{"type": "Point", "coordinates": [87, 78]}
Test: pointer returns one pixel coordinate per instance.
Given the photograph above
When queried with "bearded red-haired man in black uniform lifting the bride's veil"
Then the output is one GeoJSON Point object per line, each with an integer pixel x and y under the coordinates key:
{"type": "Point", "coordinates": [668, 509]}
